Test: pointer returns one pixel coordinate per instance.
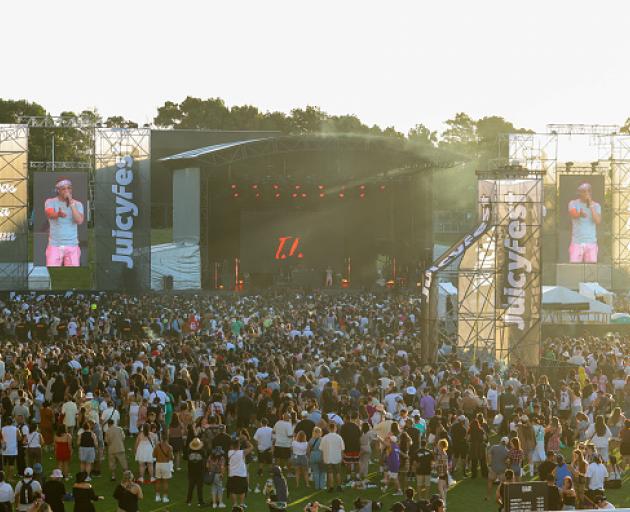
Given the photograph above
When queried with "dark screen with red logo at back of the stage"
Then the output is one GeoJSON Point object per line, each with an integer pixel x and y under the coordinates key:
{"type": "Point", "coordinates": [281, 240]}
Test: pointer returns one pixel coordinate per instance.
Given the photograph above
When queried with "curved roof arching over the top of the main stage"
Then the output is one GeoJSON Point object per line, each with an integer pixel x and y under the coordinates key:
{"type": "Point", "coordinates": [401, 151]}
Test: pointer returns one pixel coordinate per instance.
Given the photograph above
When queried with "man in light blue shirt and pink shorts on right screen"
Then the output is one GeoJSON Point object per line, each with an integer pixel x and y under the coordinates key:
{"type": "Point", "coordinates": [585, 215]}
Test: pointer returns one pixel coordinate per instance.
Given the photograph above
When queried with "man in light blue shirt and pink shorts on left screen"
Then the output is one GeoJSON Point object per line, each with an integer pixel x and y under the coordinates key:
{"type": "Point", "coordinates": [64, 215]}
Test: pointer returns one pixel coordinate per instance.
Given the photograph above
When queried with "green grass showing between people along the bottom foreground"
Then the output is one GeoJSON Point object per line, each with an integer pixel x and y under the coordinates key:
{"type": "Point", "coordinates": [466, 495]}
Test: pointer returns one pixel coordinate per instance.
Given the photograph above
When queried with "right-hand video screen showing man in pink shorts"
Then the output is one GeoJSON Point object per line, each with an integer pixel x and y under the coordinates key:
{"type": "Point", "coordinates": [582, 220]}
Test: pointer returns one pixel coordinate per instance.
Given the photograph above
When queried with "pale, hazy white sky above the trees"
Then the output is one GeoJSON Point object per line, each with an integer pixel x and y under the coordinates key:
{"type": "Point", "coordinates": [389, 62]}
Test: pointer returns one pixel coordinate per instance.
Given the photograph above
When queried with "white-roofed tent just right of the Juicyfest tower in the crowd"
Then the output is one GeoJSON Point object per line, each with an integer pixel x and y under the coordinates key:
{"type": "Point", "coordinates": [561, 305]}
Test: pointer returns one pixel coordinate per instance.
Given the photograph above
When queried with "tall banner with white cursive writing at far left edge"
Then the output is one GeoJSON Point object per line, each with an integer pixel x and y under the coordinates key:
{"type": "Point", "coordinates": [13, 207]}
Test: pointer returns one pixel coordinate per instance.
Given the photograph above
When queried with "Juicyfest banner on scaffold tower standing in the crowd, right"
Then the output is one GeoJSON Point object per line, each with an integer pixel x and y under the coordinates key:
{"type": "Point", "coordinates": [518, 209]}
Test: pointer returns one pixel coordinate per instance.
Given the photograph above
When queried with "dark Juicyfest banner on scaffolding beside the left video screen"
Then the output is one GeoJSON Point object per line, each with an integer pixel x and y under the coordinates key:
{"type": "Point", "coordinates": [122, 213]}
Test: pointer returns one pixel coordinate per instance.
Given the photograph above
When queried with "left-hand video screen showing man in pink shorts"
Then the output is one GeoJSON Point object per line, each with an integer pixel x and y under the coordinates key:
{"type": "Point", "coordinates": [60, 219]}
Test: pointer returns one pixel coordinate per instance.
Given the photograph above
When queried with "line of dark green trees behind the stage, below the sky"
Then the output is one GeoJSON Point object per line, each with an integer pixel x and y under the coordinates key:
{"type": "Point", "coordinates": [477, 138]}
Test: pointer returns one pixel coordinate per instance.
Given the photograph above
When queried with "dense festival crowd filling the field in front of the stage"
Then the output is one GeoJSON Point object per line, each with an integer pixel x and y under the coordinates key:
{"type": "Point", "coordinates": [269, 394]}
